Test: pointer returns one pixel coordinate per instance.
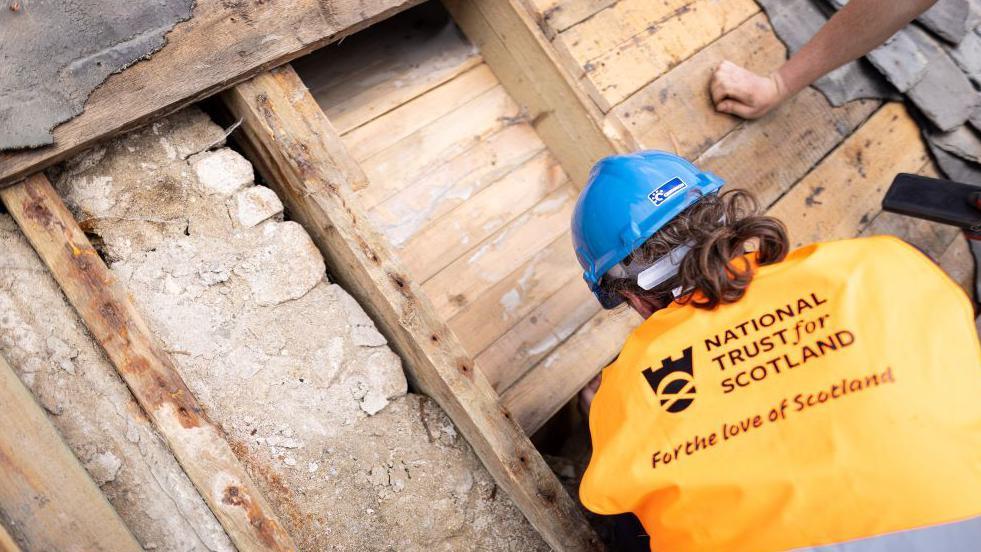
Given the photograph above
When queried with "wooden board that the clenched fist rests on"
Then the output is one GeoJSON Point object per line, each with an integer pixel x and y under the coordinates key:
{"type": "Point", "coordinates": [675, 112]}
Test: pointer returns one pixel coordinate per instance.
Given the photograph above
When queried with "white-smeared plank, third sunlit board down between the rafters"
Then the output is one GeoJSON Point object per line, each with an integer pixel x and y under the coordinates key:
{"type": "Point", "coordinates": [448, 184]}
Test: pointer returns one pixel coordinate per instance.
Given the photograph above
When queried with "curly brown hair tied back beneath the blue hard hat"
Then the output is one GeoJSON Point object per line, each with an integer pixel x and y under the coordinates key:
{"type": "Point", "coordinates": [719, 227]}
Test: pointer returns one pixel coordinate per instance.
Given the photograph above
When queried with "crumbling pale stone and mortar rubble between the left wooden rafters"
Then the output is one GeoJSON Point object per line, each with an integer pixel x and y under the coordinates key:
{"type": "Point", "coordinates": [307, 391]}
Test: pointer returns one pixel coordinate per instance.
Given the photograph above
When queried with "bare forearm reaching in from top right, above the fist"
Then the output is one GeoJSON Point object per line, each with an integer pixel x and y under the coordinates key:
{"type": "Point", "coordinates": [856, 29]}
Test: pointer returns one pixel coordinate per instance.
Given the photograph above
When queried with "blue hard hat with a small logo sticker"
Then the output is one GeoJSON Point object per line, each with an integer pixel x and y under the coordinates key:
{"type": "Point", "coordinates": [626, 200]}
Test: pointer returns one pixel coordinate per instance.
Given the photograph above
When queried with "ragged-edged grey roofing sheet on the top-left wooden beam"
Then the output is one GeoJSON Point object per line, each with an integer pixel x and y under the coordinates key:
{"type": "Point", "coordinates": [57, 53]}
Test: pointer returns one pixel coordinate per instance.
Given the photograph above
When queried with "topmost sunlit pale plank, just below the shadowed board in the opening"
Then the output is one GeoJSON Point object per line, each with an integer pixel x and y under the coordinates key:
{"type": "Point", "coordinates": [381, 133]}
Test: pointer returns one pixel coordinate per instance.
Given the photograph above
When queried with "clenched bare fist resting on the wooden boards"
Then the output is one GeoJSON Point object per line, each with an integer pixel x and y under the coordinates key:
{"type": "Point", "coordinates": [743, 93]}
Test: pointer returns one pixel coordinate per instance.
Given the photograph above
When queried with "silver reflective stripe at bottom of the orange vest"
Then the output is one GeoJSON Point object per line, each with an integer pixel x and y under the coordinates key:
{"type": "Point", "coordinates": [960, 536]}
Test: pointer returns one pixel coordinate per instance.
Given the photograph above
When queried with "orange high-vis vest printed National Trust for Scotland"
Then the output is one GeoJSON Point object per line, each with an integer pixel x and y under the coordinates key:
{"type": "Point", "coordinates": [840, 399]}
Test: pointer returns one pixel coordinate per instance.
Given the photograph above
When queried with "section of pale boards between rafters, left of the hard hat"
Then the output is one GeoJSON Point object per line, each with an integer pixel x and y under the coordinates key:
{"type": "Point", "coordinates": [468, 195]}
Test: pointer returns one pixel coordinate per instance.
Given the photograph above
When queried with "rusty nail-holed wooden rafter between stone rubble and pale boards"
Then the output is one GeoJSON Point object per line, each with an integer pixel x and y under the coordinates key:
{"type": "Point", "coordinates": [295, 147]}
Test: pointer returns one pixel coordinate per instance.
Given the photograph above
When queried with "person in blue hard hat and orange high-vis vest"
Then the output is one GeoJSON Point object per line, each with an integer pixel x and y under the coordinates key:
{"type": "Point", "coordinates": [774, 401]}
